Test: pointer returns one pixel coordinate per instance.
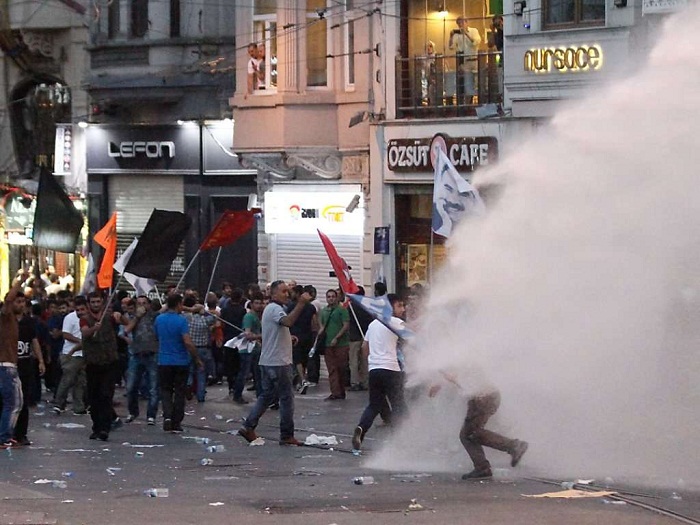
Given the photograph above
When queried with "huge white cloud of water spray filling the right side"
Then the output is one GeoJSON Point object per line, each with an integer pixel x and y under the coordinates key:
{"type": "Point", "coordinates": [578, 294]}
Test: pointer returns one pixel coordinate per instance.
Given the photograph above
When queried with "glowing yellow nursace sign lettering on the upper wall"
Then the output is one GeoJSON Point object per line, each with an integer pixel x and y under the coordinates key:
{"type": "Point", "coordinates": [570, 59]}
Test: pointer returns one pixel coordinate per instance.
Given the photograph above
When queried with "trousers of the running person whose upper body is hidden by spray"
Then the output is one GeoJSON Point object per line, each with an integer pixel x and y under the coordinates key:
{"type": "Point", "coordinates": [475, 437]}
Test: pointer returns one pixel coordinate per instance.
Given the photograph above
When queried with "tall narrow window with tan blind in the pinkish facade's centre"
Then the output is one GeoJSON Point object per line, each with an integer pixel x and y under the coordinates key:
{"type": "Point", "coordinates": [316, 44]}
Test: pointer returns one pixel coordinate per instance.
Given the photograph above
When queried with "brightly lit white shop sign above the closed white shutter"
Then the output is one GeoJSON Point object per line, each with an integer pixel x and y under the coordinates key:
{"type": "Point", "coordinates": [305, 212]}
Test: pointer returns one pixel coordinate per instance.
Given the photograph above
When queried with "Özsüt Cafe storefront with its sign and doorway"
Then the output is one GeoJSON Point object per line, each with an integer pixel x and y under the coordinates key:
{"type": "Point", "coordinates": [403, 158]}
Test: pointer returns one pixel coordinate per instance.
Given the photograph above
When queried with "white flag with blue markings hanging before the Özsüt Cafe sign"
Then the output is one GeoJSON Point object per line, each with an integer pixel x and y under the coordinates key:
{"type": "Point", "coordinates": [453, 197]}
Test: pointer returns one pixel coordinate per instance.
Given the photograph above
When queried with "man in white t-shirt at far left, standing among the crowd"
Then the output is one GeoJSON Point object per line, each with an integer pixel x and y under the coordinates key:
{"type": "Point", "coordinates": [72, 363]}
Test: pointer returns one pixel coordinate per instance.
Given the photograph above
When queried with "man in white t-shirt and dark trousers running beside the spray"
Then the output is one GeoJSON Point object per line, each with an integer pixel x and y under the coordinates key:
{"type": "Point", "coordinates": [385, 375]}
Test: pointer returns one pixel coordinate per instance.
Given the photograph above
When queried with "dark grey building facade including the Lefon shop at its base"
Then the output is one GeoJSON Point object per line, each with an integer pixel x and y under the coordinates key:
{"type": "Point", "coordinates": [159, 133]}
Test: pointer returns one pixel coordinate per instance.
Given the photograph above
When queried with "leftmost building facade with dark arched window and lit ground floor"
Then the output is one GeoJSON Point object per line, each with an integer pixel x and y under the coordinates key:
{"type": "Point", "coordinates": [43, 64]}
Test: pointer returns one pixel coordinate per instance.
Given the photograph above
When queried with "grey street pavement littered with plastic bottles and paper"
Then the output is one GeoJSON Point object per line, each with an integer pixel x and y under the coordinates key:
{"type": "Point", "coordinates": [105, 483]}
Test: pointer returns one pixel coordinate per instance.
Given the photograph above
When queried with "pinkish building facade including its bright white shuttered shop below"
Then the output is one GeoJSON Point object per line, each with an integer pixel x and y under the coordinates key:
{"type": "Point", "coordinates": [302, 105]}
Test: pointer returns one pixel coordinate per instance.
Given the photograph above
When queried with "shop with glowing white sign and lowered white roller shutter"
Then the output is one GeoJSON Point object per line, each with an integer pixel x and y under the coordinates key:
{"type": "Point", "coordinates": [294, 213]}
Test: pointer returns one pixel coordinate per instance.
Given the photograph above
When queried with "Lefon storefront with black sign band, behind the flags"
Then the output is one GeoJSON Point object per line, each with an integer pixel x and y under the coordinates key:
{"type": "Point", "coordinates": [186, 168]}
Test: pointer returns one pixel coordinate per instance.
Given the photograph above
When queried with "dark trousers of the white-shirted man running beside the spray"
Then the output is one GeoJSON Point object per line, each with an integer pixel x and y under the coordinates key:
{"type": "Point", "coordinates": [383, 384]}
